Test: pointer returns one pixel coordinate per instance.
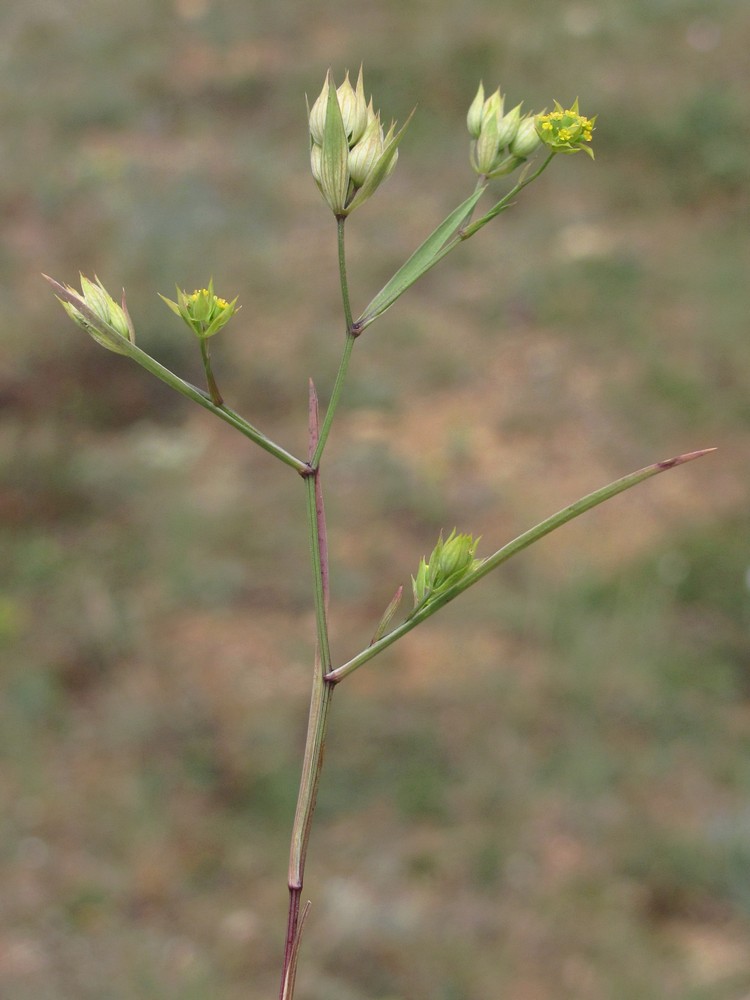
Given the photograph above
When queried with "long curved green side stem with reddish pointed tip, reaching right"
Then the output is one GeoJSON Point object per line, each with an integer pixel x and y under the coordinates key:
{"type": "Point", "coordinates": [523, 541]}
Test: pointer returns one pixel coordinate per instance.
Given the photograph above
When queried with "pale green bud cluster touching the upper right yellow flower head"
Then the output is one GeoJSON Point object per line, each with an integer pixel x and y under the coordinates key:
{"type": "Point", "coordinates": [501, 141]}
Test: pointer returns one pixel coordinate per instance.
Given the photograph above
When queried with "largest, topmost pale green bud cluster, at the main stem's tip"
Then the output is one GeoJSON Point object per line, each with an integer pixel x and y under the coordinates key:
{"type": "Point", "coordinates": [350, 156]}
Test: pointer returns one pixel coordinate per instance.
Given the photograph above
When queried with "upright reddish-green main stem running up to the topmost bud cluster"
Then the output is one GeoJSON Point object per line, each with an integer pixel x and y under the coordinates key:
{"type": "Point", "coordinates": [322, 688]}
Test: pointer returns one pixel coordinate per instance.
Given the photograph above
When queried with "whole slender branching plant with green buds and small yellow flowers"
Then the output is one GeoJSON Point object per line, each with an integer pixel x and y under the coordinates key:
{"type": "Point", "coordinates": [351, 156]}
